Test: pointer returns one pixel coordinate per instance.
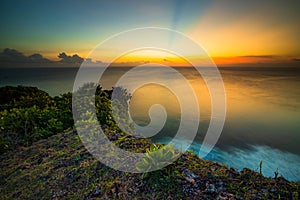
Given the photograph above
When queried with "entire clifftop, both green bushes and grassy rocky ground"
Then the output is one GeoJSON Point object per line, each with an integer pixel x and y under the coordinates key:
{"type": "Point", "coordinates": [43, 157]}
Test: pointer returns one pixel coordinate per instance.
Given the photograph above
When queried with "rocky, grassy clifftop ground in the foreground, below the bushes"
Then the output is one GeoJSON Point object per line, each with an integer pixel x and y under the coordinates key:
{"type": "Point", "coordinates": [61, 168]}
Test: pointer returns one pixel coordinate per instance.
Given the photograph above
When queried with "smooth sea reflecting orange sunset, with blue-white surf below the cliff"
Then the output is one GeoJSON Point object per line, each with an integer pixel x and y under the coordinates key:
{"type": "Point", "coordinates": [262, 121]}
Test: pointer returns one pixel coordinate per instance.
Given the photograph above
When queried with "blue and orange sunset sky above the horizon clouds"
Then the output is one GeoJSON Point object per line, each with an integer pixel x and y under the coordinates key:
{"type": "Point", "coordinates": [231, 31]}
